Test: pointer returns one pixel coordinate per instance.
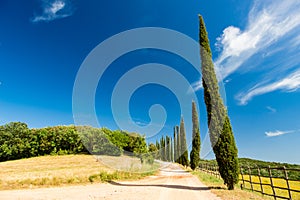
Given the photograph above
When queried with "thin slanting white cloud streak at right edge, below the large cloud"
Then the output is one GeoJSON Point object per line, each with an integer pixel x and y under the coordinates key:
{"type": "Point", "coordinates": [290, 83]}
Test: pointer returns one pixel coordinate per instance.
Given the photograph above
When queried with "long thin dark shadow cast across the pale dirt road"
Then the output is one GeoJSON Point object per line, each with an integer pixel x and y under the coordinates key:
{"type": "Point", "coordinates": [166, 186]}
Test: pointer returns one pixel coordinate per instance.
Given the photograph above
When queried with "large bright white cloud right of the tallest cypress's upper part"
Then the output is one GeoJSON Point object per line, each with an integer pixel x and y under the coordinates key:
{"type": "Point", "coordinates": [268, 21]}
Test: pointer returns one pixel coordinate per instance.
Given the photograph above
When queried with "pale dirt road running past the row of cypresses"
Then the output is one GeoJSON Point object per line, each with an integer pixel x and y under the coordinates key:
{"type": "Point", "coordinates": [171, 183]}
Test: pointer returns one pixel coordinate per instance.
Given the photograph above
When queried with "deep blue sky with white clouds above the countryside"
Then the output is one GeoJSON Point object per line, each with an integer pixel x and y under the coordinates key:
{"type": "Point", "coordinates": [255, 44]}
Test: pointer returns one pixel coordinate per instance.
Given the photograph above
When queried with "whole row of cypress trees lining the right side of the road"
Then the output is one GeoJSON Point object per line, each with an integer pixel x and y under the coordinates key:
{"type": "Point", "coordinates": [220, 131]}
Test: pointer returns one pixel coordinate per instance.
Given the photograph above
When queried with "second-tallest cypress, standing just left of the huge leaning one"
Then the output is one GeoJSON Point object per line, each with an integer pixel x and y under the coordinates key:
{"type": "Point", "coordinates": [195, 153]}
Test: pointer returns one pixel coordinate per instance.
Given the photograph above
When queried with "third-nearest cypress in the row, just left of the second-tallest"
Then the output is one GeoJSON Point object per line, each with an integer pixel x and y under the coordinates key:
{"type": "Point", "coordinates": [184, 158]}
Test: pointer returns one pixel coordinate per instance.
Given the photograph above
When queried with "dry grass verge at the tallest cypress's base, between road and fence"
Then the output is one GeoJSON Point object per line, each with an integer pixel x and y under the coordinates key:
{"type": "Point", "coordinates": [220, 189]}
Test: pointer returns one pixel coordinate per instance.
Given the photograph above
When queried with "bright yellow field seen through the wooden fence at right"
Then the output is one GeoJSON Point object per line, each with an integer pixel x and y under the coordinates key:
{"type": "Point", "coordinates": [277, 182]}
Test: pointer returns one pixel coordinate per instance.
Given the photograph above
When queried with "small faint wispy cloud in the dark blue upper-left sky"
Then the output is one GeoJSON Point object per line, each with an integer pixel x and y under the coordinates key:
{"type": "Point", "coordinates": [52, 10]}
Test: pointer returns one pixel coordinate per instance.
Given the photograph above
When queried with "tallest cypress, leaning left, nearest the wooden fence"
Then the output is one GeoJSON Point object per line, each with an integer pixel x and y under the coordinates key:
{"type": "Point", "coordinates": [221, 135]}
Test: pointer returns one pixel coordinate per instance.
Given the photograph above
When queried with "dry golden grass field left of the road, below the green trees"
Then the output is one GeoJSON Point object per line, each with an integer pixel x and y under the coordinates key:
{"type": "Point", "coordinates": [50, 171]}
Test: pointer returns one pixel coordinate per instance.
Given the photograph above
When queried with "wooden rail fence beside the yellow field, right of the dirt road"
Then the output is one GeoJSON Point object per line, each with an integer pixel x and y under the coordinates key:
{"type": "Point", "coordinates": [278, 187]}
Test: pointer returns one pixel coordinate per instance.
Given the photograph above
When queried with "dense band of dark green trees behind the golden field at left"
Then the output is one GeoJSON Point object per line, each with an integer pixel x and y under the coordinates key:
{"type": "Point", "coordinates": [17, 141]}
